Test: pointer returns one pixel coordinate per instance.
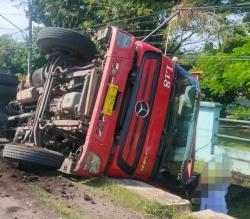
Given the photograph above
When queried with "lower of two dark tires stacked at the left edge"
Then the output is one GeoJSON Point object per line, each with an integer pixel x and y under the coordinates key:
{"type": "Point", "coordinates": [7, 93]}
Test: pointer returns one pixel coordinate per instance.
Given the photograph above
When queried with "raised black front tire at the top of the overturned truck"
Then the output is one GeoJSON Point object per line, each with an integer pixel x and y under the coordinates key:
{"type": "Point", "coordinates": [49, 39]}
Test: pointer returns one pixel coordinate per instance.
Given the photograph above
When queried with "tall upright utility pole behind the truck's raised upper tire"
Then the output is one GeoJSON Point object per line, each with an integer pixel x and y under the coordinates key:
{"type": "Point", "coordinates": [30, 38]}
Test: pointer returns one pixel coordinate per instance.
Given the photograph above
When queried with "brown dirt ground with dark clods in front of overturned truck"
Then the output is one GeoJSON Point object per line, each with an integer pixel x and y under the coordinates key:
{"type": "Point", "coordinates": [18, 201]}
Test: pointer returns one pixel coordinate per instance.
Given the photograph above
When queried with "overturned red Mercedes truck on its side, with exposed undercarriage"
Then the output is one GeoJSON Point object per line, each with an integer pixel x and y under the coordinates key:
{"type": "Point", "coordinates": [131, 113]}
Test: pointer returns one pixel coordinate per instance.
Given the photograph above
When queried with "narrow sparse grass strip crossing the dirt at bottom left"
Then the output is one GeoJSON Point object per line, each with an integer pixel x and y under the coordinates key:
{"type": "Point", "coordinates": [56, 205]}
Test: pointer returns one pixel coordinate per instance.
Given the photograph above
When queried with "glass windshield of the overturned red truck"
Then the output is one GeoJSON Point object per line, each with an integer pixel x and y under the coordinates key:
{"type": "Point", "coordinates": [181, 123]}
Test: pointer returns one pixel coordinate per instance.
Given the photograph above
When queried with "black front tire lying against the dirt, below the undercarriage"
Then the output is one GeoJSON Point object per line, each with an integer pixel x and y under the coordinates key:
{"type": "Point", "coordinates": [32, 156]}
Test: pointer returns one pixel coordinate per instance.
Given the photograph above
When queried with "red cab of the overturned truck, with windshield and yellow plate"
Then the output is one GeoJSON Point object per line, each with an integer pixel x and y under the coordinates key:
{"type": "Point", "coordinates": [145, 114]}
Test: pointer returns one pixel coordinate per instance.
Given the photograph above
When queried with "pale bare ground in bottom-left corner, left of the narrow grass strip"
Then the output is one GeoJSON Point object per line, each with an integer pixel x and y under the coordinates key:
{"type": "Point", "coordinates": [16, 201]}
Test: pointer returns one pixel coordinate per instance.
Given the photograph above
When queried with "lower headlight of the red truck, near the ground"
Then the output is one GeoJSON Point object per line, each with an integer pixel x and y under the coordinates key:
{"type": "Point", "coordinates": [92, 163]}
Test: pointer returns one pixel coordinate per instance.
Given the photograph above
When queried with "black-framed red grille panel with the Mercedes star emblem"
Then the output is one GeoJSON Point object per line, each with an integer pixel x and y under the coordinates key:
{"type": "Point", "coordinates": [138, 115]}
